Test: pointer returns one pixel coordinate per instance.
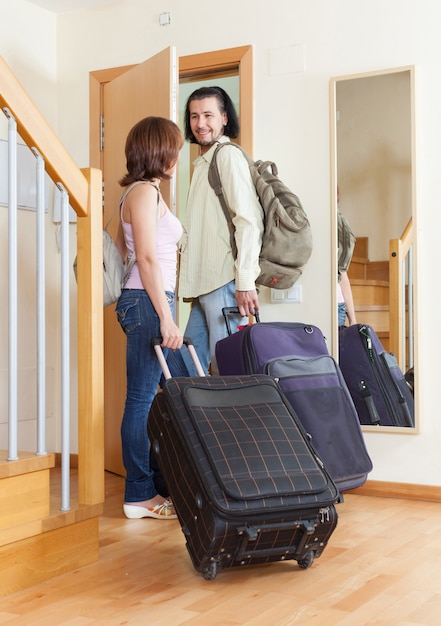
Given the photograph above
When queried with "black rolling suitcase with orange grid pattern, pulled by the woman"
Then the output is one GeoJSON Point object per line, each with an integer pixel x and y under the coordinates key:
{"type": "Point", "coordinates": [247, 486]}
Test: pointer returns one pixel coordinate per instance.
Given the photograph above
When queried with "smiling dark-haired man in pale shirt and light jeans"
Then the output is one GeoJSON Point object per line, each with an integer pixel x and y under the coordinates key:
{"type": "Point", "coordinates": [209, 274]}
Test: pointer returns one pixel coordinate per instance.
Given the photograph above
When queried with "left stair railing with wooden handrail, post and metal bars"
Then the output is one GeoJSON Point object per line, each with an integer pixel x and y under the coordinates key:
{"type": "Point", "coordinates": [82, 190]}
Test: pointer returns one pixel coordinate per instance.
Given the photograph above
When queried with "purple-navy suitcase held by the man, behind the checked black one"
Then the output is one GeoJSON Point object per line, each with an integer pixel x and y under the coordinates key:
{"type": "Point", "coordinates": [297, 356]}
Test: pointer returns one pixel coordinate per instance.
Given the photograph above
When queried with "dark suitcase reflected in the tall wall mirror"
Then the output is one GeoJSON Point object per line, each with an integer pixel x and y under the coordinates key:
{"type": "Point", "coordinates": [378, 386]}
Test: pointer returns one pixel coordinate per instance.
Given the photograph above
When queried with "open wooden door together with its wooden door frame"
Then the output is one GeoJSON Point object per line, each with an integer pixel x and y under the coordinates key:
{"type": "Point", "coordinates": [120, 97]}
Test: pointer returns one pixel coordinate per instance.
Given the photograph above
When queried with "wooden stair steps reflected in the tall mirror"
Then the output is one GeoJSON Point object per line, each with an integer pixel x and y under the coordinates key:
{"type": "Point", "coordinates": [370, 290]}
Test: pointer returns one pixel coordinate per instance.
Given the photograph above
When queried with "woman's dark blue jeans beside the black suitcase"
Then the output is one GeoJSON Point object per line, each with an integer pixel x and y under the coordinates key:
{"type": "Point", "coordinates": [140, 323]}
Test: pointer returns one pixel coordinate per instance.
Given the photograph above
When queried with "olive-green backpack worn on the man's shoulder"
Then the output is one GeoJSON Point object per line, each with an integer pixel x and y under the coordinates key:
{"type": "Point", "coordinates": [287, 239]}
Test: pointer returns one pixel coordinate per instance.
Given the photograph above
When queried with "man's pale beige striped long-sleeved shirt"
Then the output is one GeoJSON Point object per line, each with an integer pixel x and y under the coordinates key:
{"type": "Point", "coordinates": [207, 261]}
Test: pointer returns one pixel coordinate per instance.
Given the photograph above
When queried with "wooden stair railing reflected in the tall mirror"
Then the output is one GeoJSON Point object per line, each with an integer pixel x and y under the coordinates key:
{"type": "Point", "coordinates": [401, 297]}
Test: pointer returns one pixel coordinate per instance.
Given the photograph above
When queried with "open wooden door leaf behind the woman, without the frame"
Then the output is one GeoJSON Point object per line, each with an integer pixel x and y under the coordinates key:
{"type": "Point", "coordinates": [146, 89]}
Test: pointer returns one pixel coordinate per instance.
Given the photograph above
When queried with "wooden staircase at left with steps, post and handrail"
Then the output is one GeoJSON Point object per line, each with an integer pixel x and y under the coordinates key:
{"type": "Point", "coordinates": [39, 536]}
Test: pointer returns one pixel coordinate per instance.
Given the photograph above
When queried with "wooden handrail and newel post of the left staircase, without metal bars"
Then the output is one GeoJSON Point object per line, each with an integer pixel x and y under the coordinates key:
{"type": "Point", "coordinates": [84, 188]}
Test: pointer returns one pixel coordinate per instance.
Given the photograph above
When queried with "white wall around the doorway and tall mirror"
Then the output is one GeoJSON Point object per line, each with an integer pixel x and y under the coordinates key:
{"type": "Point", "coordinates": [291, 126]}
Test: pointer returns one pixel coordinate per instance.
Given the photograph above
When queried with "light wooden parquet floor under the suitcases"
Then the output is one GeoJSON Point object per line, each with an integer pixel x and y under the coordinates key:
{"type": "Point", "coordinates": [382, 566]}
